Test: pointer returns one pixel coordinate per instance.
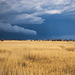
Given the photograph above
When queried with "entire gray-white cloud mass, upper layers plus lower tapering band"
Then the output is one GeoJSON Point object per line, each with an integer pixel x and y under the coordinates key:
{"type": "Point", "coordinates": [28, 11]}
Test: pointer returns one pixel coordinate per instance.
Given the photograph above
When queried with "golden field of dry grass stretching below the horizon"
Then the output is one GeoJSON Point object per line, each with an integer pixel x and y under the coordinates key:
{"type": "Point", "coordinates": [37, 57]}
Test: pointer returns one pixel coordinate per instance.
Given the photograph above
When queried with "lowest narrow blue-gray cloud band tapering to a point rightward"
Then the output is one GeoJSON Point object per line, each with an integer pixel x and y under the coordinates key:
{"type": "Point", "coordinates": [6, 27]}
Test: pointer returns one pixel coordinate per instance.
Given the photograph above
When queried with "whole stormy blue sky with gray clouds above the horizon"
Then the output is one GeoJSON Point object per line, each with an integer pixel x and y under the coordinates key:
{"type": "Point", "coordinates": [37, 19]}
